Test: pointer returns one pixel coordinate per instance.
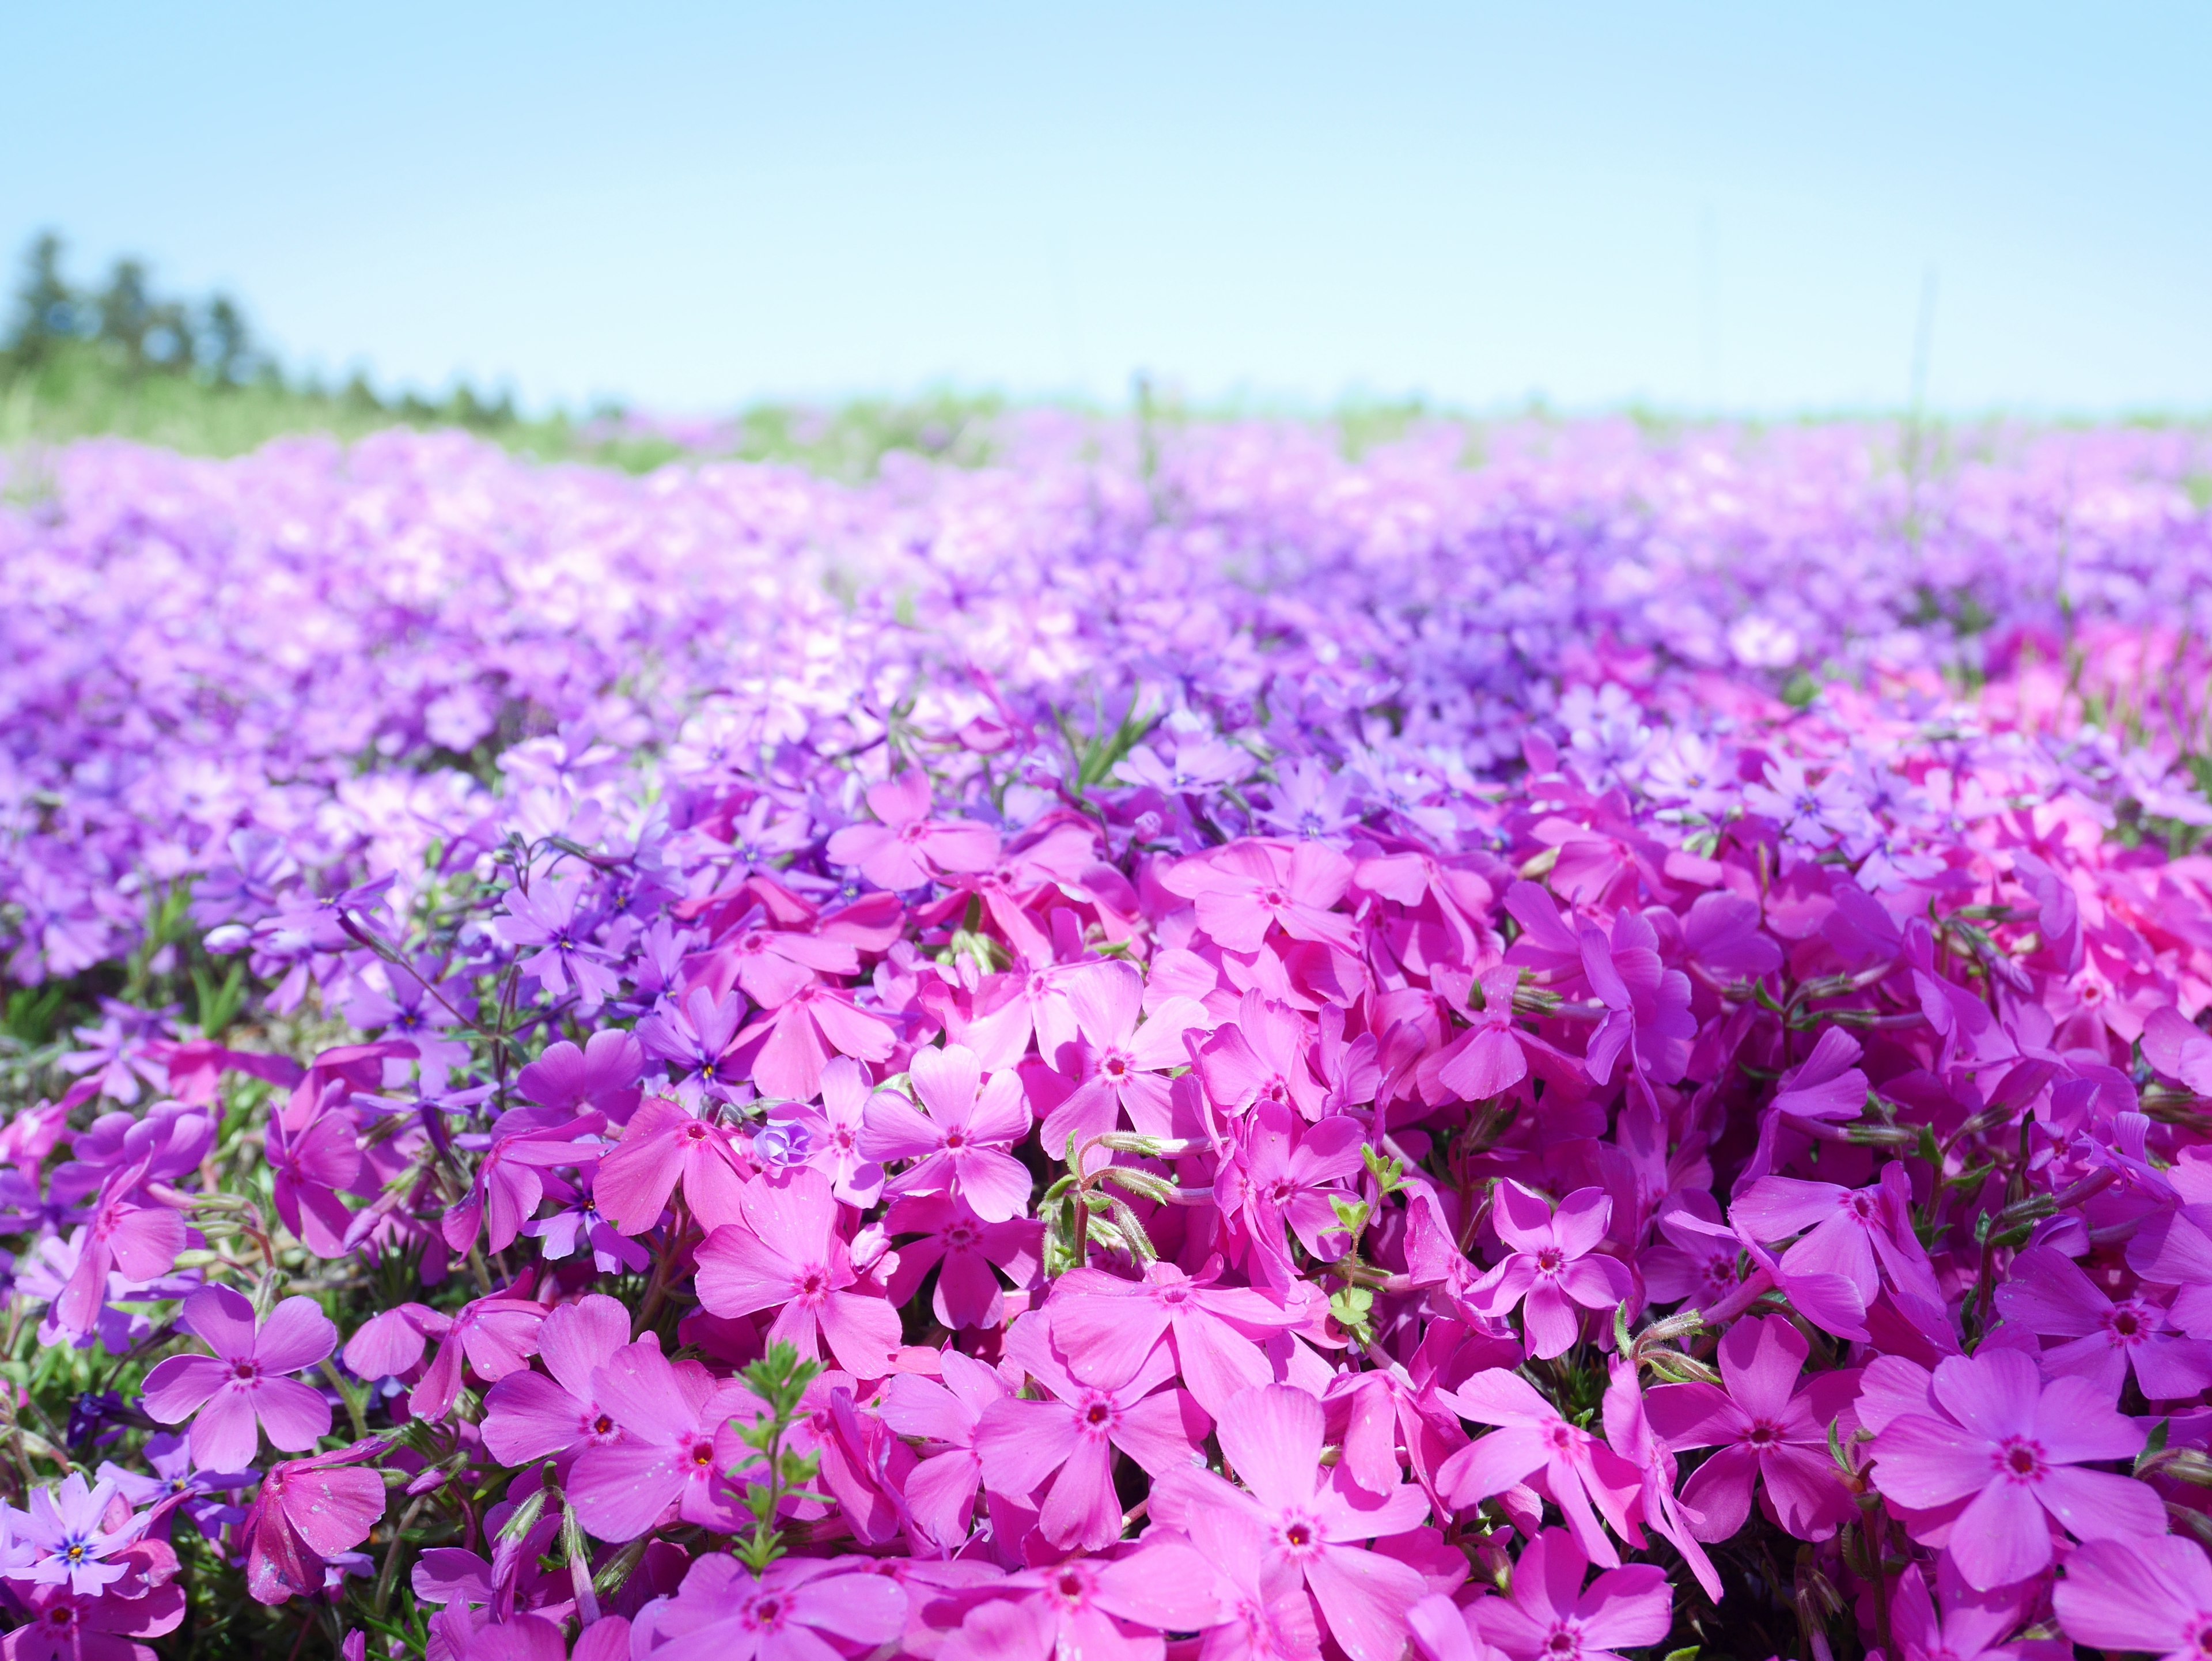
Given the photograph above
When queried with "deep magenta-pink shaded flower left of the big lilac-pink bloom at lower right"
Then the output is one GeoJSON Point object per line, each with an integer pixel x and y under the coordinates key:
{"type": "Point", "coordinates": [1766, 1430]}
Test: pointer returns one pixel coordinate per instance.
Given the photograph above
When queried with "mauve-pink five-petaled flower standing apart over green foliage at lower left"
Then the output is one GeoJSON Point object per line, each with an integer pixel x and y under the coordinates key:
{"type": "Point", "coordinates": [244, 1381]}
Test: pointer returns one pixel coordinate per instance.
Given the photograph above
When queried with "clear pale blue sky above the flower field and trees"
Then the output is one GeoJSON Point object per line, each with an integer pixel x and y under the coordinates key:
{"type": "Point", "coordinates": [1698, 207]}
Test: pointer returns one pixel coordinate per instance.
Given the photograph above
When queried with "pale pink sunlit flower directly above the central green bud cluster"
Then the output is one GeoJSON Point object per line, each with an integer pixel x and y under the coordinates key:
{"type": "Point", "coordinates": [1118, 1065]}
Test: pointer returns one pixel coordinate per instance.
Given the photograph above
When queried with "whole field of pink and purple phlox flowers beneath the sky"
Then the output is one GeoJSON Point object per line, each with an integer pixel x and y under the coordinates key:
{"type": "Point", "coordinates": [1543, 1045]}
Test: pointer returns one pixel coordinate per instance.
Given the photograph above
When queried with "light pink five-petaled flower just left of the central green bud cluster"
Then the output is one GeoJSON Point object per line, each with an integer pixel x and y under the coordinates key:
{"type": "Point", "coordinates": [959, 1138]}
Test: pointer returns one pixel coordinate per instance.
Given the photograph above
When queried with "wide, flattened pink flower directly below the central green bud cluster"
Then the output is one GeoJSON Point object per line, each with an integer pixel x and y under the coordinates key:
{"type": "Point", "coordinates": [1107, 1328]}
